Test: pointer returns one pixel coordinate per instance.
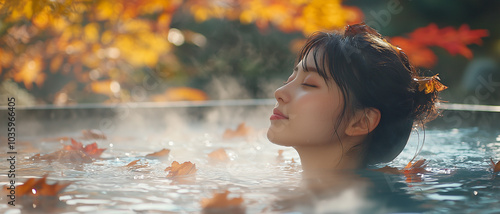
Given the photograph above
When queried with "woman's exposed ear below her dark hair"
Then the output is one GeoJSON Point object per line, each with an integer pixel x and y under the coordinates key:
{"type": "Point", "coordinates": [363, 122]}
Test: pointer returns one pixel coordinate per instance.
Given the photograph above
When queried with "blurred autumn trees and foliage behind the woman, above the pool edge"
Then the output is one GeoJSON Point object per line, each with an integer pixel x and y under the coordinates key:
{"type": "Point", "coordinates": [67, 52]}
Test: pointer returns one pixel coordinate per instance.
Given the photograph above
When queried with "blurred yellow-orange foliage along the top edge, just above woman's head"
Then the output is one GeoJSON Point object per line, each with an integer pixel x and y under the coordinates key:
{"type": "Point", "coordinates": [306, 16]}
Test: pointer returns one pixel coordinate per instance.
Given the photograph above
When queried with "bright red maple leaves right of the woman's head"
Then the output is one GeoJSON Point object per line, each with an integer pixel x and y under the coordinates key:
{"type": "Point", "coordinates": [455, 41]}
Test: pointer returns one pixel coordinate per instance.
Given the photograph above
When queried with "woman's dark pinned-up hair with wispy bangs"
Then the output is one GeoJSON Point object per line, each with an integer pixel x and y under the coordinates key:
{"type": "Point", "coordinates": [370, 72]}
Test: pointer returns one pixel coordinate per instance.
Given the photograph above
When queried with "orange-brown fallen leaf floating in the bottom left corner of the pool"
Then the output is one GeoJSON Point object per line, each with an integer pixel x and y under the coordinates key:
{"type": "Point", "coordinates": [39, 187]}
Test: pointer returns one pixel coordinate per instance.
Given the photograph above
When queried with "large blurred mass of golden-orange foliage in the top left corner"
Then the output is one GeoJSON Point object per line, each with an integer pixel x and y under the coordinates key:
{"type": "Point", "coordinates": [75, 37]}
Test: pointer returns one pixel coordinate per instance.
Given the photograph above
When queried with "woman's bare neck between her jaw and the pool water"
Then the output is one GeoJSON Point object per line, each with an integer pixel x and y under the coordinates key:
{"type": "Point", "coordinates": [327, 157]}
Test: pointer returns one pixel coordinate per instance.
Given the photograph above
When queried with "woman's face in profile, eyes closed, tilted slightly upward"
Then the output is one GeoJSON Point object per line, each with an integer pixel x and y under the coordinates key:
{"type": "Point", "coordinates": [307, 109]}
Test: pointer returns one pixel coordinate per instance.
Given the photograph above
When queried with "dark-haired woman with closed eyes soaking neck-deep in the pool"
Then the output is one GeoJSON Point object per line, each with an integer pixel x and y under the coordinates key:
{"type": "Point", "coordinates": [351, 101]}
